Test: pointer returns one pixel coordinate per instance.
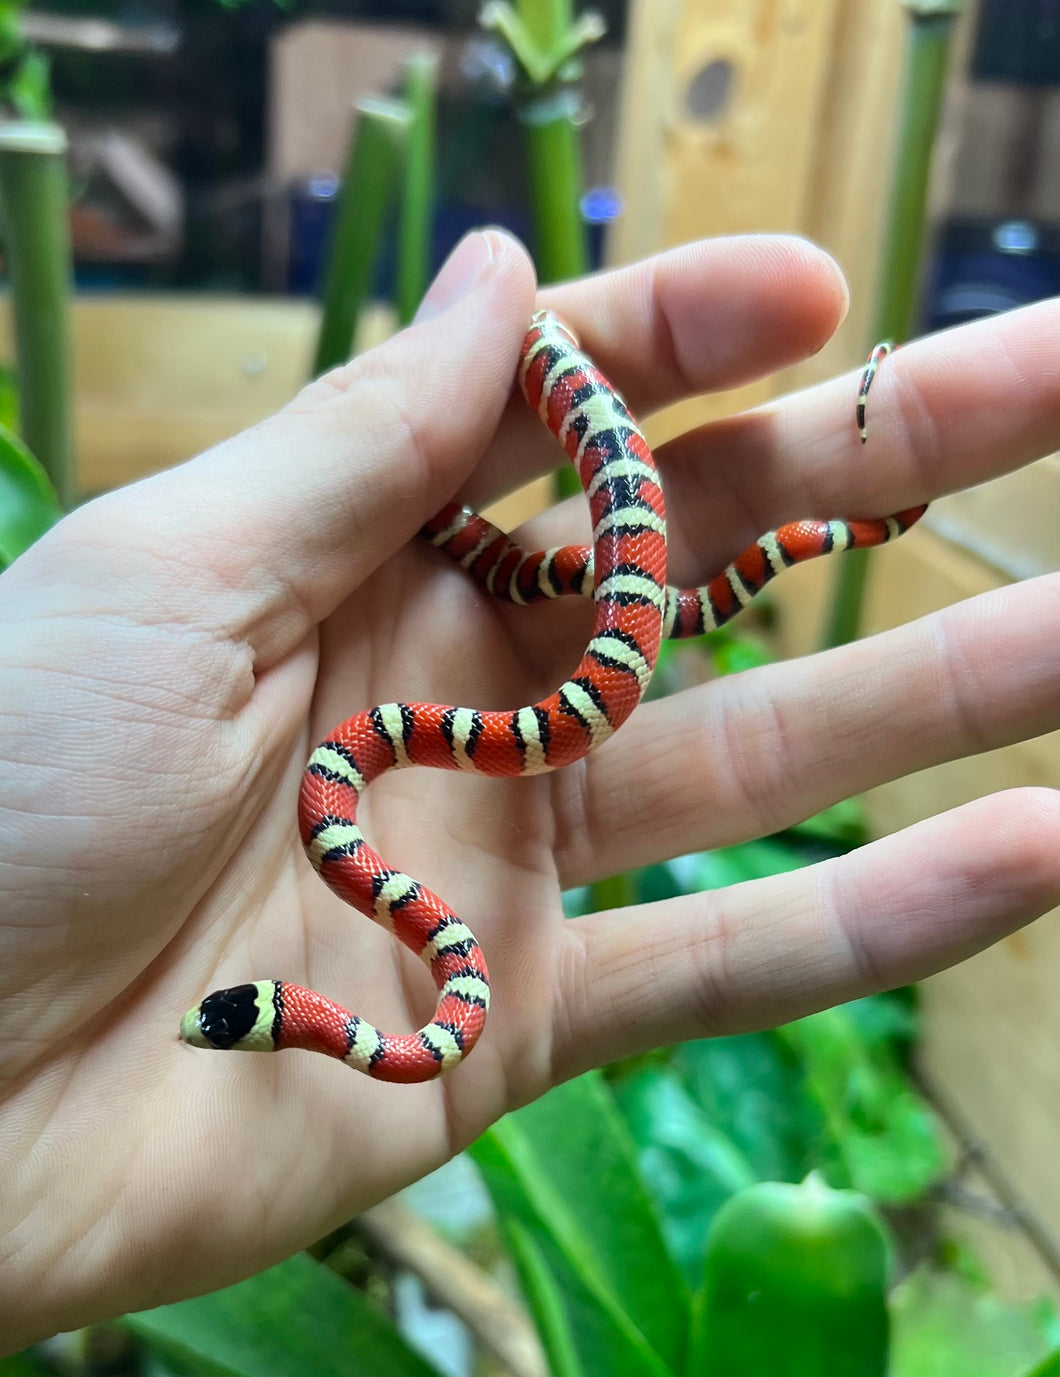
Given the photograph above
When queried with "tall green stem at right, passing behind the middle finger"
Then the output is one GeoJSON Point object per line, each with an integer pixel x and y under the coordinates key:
{"type": "Point", "coordinates": [929, 39]}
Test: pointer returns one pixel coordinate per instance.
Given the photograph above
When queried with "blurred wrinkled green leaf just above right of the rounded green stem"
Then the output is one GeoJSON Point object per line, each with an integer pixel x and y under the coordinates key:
{"type": "Point", "coordinates": [886, 1133]}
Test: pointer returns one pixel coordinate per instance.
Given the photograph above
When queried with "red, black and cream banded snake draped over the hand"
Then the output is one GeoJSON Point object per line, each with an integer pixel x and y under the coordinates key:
{"type": "Point", "coordinates": [626, 574]}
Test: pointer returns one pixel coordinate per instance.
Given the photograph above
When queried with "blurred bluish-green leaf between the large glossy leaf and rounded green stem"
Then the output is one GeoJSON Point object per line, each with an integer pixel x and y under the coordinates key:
{"type": "Point", "coordinates": [688, 1163]}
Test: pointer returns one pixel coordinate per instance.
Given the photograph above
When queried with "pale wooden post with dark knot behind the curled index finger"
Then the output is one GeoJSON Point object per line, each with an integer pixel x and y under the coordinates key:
{"type": "Point", "coordinates": [725, 109]}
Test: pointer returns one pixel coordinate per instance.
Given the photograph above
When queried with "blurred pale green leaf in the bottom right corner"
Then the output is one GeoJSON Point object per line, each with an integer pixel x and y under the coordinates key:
{"type": "Point", "coordinates": [942, 1327]}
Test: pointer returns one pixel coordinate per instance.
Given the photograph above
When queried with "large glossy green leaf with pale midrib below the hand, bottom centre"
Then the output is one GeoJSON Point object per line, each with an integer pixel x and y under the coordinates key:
{"type": "Point", "coordinates": [565, 1170]}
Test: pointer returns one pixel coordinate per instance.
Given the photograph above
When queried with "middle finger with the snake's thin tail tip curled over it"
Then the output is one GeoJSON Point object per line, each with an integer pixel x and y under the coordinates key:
{"type": "Point", "coordinates": [946, 412]}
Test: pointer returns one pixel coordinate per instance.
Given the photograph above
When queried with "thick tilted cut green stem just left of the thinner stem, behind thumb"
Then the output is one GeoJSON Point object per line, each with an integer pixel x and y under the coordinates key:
{"type": "Point", "coordinates": [377, 154]}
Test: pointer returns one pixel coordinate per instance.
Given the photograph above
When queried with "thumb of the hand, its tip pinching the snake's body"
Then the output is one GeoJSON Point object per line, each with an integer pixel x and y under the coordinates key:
{"type": "Point", "coordinates": [276, 527]}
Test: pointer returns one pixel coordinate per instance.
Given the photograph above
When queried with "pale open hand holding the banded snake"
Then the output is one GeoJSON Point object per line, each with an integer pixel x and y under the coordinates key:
{"type": "Point", "coordinates": [171, 655]}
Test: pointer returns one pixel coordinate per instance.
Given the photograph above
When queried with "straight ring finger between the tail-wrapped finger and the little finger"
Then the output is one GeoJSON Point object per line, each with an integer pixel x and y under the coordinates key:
{"type": "Point", "coordinates": [754, 754]}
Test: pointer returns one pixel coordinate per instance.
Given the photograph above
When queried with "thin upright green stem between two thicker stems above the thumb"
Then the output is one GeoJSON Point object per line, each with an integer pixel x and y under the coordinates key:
{"type": "Point", "coordinates": [418, 196]}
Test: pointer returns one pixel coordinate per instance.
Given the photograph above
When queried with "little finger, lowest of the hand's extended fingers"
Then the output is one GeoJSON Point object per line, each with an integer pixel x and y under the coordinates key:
{"type": "Point", "coordinates": [772, 951]}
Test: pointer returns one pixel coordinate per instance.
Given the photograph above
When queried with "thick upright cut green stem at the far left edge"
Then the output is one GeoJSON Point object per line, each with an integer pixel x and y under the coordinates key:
{"type": "Point", "coordinates": [34, 192]}
